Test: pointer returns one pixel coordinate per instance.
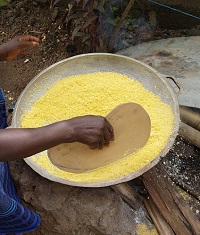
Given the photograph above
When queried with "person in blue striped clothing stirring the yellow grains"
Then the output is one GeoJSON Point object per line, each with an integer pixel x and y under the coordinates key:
{"type": "Point", "coordinates": [19, 143]}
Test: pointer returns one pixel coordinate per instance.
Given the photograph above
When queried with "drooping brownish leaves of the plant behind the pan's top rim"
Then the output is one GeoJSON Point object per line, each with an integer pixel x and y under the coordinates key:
{"type": "Point", "coordinates": [84, 16]}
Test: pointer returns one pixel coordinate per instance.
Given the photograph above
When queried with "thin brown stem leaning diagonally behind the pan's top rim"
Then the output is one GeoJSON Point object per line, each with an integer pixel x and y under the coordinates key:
{"type": "Point", "coordinates": [124, 15]}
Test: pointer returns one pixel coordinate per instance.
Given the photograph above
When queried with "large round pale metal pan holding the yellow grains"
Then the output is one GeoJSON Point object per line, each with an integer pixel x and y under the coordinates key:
{"type": "Point", "coordinates": [98, 62]}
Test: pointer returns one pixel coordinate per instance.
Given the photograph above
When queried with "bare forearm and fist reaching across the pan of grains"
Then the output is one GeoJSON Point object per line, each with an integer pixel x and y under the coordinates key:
{"type": "Point", "coordinates": [18, 143]}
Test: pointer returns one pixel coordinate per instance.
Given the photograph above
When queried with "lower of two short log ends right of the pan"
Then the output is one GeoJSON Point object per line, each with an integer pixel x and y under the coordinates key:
{"type": "Point", "coordinates": [190, 134]}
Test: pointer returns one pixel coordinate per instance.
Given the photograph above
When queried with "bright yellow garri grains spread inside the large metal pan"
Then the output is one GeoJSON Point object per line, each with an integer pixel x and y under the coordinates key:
{"type": "Point", "coordinates": [98, 94]}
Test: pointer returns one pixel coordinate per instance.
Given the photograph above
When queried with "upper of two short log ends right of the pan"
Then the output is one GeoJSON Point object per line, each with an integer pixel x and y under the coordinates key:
{"type": "Point", "coordinates": [188, 116]}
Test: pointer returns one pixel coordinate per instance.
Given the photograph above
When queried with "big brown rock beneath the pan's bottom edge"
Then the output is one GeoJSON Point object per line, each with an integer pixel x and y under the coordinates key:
{"type": "Point", "coordinates": [71, 210]}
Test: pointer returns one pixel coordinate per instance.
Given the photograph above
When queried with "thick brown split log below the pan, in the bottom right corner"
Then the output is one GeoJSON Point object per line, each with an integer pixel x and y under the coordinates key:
{"type": "Point", "coordinates": [170, 202]}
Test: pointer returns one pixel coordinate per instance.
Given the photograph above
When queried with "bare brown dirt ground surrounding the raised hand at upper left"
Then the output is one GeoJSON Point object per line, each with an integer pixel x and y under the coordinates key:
{"type": "Point", "coordinates": [24, 19]}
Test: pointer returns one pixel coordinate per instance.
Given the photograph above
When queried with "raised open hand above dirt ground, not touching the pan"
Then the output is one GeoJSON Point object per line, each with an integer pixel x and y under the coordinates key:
{"type": "Point", "coordinates": [16, 46]}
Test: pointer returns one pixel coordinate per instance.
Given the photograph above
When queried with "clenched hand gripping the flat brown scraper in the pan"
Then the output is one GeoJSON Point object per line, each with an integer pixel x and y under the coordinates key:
{"type": "Point", "coordinates": [94, 131]}
